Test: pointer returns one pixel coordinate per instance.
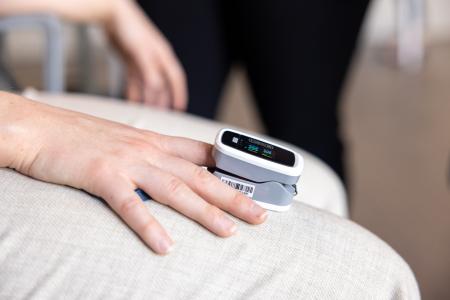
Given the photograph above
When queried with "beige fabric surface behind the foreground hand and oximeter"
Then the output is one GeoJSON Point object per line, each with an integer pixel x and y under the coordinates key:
{"type": "Point", "coordinates": [319, 186]}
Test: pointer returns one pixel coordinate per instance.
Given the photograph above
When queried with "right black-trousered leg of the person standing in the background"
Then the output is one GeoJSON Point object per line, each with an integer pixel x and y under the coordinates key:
{"type": "Point", "coordinates": [297, 54]}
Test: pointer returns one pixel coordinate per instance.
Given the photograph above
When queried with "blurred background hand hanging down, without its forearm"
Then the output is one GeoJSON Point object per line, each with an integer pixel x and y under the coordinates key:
{"type": "Point", "coordinates": [155, 76]}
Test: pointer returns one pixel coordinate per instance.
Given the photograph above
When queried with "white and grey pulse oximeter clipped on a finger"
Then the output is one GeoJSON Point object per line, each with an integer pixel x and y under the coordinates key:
{"type": "Point", "coordinates": [262, 170]}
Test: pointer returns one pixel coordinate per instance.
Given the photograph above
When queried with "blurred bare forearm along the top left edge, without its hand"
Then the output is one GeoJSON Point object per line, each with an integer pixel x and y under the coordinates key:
{"type": "Point", "coordinates": [89, 11]}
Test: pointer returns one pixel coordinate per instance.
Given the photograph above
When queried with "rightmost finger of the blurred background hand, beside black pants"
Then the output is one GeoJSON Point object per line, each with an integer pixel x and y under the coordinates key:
{"type": "Point", "coordinates": [176, 78]}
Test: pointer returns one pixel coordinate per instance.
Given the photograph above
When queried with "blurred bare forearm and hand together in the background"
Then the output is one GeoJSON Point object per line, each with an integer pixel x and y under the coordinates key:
{"type": "Point", "coordinates": [155, 76]}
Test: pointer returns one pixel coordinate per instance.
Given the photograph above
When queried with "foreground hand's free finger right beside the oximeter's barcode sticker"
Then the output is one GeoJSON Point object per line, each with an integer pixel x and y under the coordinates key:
{"type": "Point", "coordinates": [210, 188]}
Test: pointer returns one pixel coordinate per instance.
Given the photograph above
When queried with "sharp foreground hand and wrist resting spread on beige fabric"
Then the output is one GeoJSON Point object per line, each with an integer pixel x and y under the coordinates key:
{"type": "Point", "coordinates": [111, 160]}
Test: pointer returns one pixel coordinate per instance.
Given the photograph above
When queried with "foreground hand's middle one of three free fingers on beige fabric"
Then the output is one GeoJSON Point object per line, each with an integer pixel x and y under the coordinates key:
{"type": "Point", "coordinates": [171, 191]}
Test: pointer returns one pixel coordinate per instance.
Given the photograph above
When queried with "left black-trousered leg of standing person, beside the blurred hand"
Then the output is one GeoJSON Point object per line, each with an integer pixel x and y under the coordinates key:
{"type": "Point", "coordinates": [195, 31]}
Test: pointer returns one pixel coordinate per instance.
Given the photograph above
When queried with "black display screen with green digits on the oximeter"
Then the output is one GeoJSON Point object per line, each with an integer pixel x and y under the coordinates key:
{"type": "Point", "coordinates": [258, 148]}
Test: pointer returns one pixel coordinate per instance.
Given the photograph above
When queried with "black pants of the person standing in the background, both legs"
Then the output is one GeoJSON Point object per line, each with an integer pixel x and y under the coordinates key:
{"type": "Point", "coordinates": [296, 54]}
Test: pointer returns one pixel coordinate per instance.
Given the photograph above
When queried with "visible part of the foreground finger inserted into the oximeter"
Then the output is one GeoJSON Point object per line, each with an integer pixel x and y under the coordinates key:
{"type": "Point", "coordinates": [197, 152]}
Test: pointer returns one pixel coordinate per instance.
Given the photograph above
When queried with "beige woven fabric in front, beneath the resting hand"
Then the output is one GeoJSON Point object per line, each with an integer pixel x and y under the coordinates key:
{"type": "Point", "coordinates": [60, 243]}
